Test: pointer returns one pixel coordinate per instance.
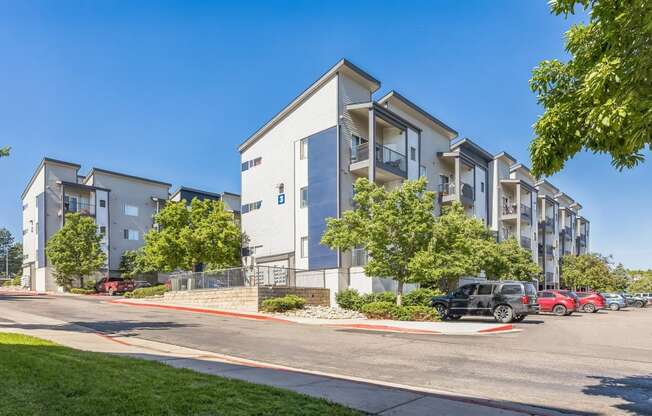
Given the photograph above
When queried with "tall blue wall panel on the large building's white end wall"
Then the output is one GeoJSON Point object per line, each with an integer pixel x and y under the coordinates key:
{"type": "Point", "coordinates": [322, 195]}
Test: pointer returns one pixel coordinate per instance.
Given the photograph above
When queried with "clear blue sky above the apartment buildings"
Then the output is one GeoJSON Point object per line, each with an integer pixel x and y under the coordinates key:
{"type": "Point", "coordinates": [168, 90]}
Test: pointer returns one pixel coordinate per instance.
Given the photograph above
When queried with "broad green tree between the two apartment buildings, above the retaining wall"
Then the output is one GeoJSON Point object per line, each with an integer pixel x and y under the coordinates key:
{"type": "Point", "coordinates": [203, 233]}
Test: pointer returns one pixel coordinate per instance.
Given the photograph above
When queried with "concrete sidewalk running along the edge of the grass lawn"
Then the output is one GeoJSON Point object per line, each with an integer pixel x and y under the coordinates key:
{"type": "Point", "coordinates": [369, 396]}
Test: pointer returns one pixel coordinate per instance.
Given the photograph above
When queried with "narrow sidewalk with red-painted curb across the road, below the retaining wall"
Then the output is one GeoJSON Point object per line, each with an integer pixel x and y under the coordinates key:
{"type": "Point", "coordinates": [425, 328]}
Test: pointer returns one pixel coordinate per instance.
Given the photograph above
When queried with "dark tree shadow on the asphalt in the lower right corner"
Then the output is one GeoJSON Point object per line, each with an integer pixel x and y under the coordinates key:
{"type": "Point", "coordinates": [635, 391]}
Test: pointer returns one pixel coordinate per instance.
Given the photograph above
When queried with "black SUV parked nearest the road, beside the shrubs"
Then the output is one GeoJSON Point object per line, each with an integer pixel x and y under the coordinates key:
{"type": "Point", "coordinates": [505, 300]}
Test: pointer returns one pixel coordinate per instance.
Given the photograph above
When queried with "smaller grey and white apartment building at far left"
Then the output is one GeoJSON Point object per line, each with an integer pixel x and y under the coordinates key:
{"type": "Point", "coordinates": [121, 205]}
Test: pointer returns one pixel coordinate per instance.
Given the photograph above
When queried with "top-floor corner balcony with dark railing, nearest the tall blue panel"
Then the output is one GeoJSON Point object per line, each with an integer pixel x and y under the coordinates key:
{"type": "Point", "coordinates": [390, 164]}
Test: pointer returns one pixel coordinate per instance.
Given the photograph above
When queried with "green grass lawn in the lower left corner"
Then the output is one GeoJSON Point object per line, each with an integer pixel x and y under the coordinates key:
{"type": "Point", "coordinates": [38, 377]}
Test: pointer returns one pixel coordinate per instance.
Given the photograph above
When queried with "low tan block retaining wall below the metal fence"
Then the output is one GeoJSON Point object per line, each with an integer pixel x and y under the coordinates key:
{"type": "Point", "coordinates": [244, 298]}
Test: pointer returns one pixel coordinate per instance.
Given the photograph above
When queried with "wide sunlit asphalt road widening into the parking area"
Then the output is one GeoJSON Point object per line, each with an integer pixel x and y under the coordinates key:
{"type": "Point", "coordinates": [583, 364]}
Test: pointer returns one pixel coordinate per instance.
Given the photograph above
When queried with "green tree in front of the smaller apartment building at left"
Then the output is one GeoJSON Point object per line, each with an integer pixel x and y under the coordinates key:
{"type": "Point", "coordinates": [75, 251]}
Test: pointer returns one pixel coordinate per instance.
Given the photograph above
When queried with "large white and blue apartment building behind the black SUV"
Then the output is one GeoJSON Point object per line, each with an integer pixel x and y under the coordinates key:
{"type": "Point", "coordinates": [299, 168]}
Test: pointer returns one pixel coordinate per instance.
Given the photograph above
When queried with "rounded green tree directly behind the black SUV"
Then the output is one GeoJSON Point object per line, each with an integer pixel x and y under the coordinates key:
{"type": "Point", "coordinates": [458, 247]}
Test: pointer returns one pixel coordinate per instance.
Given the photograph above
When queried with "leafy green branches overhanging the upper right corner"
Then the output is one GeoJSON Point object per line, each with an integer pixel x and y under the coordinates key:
{"type": "Point", "coordinates": [600, 99]}
